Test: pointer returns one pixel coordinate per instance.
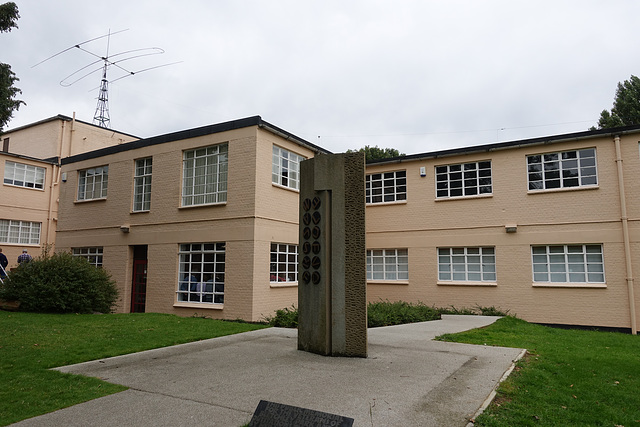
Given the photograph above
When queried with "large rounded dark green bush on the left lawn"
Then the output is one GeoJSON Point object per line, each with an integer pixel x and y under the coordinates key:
{"type": "Point", "coordinates": [60, 283]}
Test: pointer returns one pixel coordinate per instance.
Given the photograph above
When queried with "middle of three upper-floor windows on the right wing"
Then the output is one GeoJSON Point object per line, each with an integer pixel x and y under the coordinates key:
{"type": "Point", "coordinates": [464, 179]}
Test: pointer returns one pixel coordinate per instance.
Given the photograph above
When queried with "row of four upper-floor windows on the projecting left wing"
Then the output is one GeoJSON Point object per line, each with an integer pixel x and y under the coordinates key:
{"type": "Point", "coordinates": [204, 177]}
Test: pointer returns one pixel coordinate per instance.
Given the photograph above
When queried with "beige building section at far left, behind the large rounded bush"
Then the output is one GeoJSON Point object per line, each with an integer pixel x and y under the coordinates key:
{"type": "Point", "coordinates": [29, 163]}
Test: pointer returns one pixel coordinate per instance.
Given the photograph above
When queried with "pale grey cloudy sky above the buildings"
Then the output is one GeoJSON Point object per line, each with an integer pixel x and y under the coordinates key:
{"type": "Point", "coordinates": [410, 74]}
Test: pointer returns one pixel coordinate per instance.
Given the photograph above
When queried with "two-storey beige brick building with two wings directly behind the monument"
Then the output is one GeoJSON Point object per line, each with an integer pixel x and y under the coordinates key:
{"type": "Point", "coordinates": [204, 222]}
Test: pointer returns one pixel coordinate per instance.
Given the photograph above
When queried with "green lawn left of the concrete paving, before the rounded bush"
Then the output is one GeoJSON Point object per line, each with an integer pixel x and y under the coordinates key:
{"type": "Point", "coordinates": [31, 344]}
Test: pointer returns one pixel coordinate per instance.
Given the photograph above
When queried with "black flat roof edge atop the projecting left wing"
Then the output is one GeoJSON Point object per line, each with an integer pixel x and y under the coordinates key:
{"type": "Point", "coordinates": [196, 132]}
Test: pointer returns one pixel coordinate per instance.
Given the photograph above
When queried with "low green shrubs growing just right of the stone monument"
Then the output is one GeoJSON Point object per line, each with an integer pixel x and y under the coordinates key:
{"type": "Point", "coordinates": [385, 313]}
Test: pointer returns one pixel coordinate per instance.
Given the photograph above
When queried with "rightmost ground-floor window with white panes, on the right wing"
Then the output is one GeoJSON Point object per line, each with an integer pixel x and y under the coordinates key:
{"type": "Point", "coordinates": [568, 264]}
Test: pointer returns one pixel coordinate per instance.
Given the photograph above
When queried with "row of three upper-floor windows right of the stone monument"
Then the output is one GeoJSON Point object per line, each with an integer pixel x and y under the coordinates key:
{"type": "Point", "coordinates": [576, 168]}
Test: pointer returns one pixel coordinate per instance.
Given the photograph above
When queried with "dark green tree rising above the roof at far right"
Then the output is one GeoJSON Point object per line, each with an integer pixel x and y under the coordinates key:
{"type": "Point", "coordinates": [626, 106]}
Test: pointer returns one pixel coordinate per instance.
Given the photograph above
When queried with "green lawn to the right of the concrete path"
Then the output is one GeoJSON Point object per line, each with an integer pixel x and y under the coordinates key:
{"type": "Point", "coordinates": [569, 378]}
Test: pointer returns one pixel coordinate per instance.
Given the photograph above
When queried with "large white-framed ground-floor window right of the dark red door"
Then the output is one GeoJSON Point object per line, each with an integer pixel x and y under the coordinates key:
{"type": "Point", "coordinates": [202, 267]}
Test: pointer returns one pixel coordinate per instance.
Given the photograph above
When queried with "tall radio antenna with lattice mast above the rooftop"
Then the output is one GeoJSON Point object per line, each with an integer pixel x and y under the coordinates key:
{"type": "Point", "coordinates": [101, 116]}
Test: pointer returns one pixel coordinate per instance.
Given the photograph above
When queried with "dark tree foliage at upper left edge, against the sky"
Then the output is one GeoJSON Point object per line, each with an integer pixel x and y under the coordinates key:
{"type": "Point", "coordinates": [8, 104]}
